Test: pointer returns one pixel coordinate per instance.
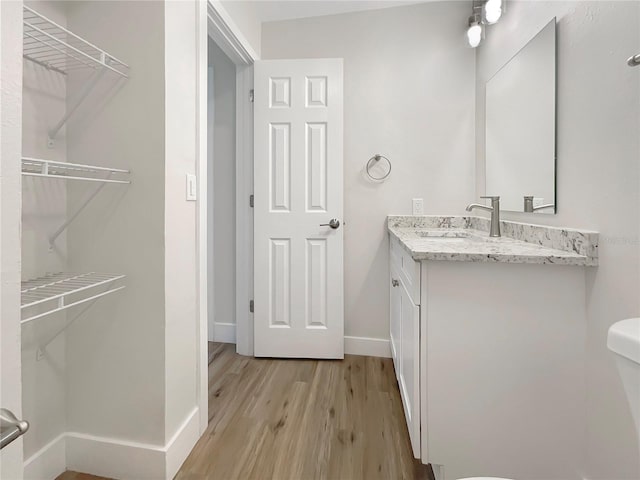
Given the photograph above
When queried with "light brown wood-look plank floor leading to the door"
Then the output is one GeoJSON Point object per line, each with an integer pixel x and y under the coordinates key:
{"type": "Point", "coordinates": [273, 419]}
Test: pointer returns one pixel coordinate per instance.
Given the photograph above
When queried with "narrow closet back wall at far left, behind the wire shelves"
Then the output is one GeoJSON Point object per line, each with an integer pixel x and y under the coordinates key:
{"type": "Point", "coordinates": [44, 209]}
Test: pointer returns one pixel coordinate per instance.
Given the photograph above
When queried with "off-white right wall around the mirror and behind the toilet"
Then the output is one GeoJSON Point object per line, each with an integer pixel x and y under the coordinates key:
{"type": "Point", "coordinates": [598, 176]}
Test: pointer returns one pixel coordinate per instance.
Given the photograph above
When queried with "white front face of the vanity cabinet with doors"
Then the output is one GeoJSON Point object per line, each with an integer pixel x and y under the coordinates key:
{"type": "Point", "coordinates": [404, 334]}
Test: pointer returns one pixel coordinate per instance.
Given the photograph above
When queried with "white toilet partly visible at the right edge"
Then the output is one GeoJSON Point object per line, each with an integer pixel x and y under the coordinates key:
{"type": "Point", "coordinates": [624, 340]}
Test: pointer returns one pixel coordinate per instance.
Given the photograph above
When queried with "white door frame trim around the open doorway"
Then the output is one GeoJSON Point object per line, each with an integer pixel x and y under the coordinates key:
{"type": "Point", "coordinates": [227, 39]}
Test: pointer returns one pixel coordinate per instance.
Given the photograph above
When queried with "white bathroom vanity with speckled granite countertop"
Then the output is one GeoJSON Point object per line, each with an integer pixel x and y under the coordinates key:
{"type": "Point", "coordinates": [488, 343]}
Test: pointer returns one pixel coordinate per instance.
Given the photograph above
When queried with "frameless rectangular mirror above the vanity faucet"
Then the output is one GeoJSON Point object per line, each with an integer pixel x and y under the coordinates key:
{"type": "Point", "coordinates": [521, 127]}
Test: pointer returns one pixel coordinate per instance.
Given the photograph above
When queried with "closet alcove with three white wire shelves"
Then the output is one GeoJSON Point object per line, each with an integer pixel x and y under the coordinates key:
{"type": "Point", "coordinates": [87, 116]}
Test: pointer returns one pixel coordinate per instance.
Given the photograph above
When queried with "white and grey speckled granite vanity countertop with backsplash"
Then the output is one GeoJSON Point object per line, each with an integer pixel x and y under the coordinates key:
{"type": "Point", "coordinates": [467, 239]}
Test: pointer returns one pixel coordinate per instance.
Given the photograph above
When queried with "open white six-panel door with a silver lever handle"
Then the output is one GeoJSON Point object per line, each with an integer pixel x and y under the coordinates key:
{"type": "Point", "coordinates": [298, 188]}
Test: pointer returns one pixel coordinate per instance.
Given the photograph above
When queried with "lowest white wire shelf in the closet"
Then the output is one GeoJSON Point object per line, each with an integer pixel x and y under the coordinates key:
{"type": "Point", "coordinates": [52, 292]}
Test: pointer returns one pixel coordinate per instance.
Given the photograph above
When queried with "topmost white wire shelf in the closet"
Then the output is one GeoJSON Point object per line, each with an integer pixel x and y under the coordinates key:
{"type": "Point", "coordinates": [56, 48]}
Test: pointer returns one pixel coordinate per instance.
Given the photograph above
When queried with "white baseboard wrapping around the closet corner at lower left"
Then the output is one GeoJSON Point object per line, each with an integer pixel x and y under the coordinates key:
{"type": "Point", "coordinates": [114, 458]}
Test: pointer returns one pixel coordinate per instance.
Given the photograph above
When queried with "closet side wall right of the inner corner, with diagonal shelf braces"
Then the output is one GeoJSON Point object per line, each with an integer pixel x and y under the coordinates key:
{"type": "Point", "coordinates": [116, 352]}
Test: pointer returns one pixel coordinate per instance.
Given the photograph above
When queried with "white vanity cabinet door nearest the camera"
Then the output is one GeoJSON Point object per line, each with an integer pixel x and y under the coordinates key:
{"type": "Point", "coordinates": [409, 380]}
